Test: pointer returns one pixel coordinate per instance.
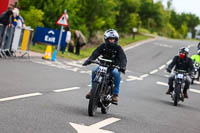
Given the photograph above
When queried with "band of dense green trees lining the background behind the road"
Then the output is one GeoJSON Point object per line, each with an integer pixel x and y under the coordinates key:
{"type": "Point", "coordinates": [91, 16]}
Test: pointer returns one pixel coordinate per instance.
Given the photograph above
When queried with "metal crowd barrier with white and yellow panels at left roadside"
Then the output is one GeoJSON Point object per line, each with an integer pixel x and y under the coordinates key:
{"type": "Point", "coordinates": [15, 41]}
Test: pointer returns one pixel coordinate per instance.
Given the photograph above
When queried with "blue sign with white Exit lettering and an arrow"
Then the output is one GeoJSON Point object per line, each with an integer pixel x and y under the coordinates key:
{"type": "Point", "coordinates": [49, 36]}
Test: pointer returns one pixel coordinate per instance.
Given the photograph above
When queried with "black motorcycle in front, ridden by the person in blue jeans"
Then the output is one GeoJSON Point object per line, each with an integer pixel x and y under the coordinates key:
{"type": "Point", "coordinates": [103, 84]}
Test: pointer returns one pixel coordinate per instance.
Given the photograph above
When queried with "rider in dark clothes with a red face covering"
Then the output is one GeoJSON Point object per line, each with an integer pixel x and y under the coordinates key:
{"type": "Point", "coordinates": [183, 62]}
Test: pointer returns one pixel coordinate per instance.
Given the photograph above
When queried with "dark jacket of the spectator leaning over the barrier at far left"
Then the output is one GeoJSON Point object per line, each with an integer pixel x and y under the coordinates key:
{"type": "Point", "coordinates": [5, 17]}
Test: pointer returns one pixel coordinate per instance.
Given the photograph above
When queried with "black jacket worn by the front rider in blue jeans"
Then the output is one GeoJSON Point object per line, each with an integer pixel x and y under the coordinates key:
{"type": "Point", "coordinates": [114, 53]}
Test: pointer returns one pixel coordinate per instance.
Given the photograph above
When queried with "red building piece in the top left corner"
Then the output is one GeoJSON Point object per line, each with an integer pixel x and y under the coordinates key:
{"type": "Point", "coordinates": [5, 4]}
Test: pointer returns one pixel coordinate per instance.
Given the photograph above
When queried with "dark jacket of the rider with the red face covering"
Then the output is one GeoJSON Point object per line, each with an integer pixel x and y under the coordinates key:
{"type": "Point", "coordinates": [183, 64]}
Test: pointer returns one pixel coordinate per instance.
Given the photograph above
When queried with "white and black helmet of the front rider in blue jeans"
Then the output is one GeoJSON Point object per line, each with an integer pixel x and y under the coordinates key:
{"type": "Point", "coordinates": [111, 33]}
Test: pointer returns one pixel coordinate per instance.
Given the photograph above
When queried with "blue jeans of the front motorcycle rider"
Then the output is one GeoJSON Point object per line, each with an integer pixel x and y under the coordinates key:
{"type": "Point", "coordinates": [116, 75]}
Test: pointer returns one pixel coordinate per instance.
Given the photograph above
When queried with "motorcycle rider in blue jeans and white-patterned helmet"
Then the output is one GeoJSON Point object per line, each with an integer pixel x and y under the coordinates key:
{"type": "Point", "coordinates": [112, 51]}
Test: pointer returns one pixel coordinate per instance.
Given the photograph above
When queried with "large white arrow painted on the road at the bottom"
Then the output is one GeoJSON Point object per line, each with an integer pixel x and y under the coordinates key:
{"type": "Point", "coordinates": [95, 128]}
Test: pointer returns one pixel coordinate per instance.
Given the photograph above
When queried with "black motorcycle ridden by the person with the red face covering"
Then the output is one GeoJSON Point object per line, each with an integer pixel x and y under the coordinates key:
{"type": "Point", "coordinates": [177, 94]}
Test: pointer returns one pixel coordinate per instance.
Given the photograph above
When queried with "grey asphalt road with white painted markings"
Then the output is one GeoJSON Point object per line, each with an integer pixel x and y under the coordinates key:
{"type": "Point", "coordinates": [38, 96]}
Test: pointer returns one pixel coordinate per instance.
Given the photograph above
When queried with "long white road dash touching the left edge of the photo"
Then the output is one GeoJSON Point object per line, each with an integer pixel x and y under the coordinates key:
{"type": "Point", "coordinates": [20, 96]}
